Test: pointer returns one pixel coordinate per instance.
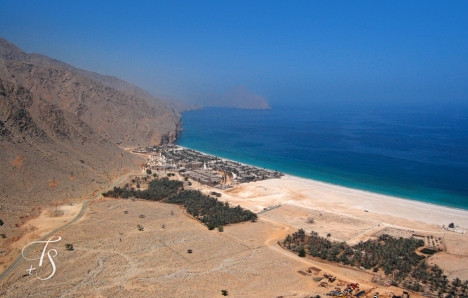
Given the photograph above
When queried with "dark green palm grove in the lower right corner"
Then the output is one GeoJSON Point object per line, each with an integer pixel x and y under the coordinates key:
{"type": "Point", "coordinates": [397, 258]}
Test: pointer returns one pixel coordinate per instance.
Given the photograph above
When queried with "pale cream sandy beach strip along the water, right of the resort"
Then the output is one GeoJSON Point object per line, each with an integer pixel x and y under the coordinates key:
{"type": "Point", "coordinates": [345, 201]}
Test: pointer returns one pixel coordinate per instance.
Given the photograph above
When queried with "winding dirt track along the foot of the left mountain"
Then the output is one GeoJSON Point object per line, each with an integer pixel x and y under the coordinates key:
{"type": "Point", "coordinates": [19, 259]}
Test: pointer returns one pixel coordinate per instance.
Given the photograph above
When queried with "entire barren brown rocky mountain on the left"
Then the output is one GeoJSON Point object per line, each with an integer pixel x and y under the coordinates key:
{"type": "Point", "coordinates": [64, 131]}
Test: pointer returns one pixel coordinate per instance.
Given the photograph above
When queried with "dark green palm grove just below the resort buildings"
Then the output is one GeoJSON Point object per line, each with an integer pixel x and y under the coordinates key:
{"type": "Point", "coordinates": [206, 209]}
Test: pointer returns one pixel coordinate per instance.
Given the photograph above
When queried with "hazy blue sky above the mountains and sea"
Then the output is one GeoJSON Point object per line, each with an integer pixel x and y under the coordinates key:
{"type": "Point", "coordinates": [340, 51]}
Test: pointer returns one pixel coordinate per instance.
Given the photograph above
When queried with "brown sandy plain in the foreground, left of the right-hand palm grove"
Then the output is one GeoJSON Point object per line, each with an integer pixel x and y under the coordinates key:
{"type": "Point", "coordinates": [112, 258]}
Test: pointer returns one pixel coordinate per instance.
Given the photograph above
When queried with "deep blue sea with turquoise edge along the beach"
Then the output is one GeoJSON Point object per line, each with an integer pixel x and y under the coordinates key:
{"type": "Point", "coordinates": [417, 153]}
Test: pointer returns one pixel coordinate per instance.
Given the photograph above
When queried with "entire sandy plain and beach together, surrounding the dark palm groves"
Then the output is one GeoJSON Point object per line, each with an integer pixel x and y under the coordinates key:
{"type": "Point", "coordinates": [113, 258]}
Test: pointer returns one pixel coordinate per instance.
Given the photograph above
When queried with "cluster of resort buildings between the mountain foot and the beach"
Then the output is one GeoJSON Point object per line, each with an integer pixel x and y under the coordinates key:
{"type": "Point", "coordinates": [203, 168]}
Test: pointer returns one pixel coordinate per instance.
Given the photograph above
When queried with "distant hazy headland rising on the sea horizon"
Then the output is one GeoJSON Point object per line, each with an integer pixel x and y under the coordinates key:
{"type": "Point", "coordinates": [238, 97]}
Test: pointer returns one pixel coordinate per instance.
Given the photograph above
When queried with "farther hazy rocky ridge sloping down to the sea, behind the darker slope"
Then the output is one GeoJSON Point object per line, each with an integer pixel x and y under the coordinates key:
{"type": "Point", "coordinates": [123, 113]}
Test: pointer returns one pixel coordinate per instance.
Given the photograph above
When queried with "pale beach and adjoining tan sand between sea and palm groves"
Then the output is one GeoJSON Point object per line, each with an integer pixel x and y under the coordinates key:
{"type": "Point", "coordinates": [340, 211]}
